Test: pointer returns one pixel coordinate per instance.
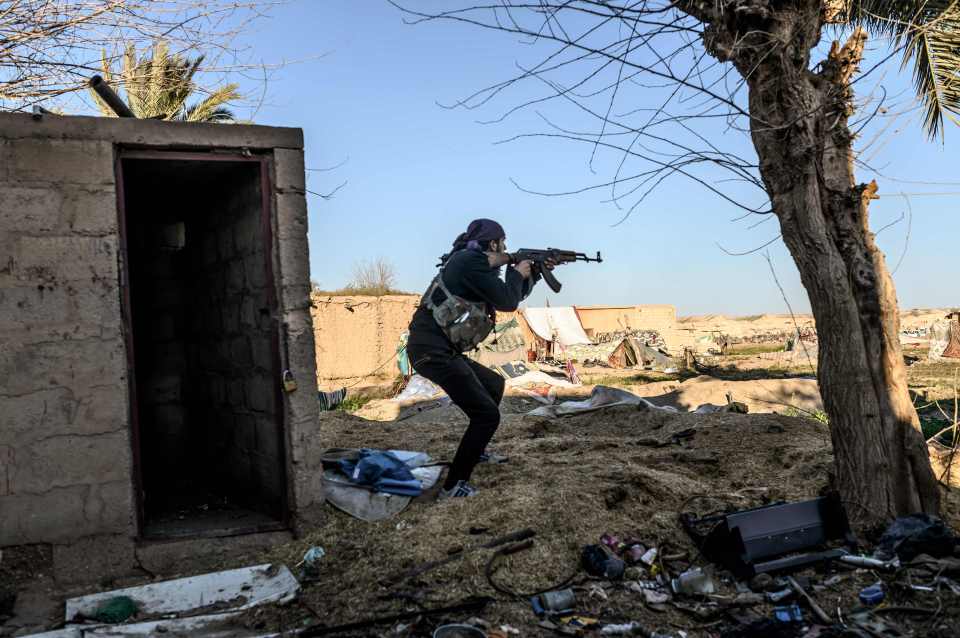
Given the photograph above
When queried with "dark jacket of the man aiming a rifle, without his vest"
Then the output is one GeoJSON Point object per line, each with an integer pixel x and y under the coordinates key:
{"type": "Point", "coordinates": [468, 274]}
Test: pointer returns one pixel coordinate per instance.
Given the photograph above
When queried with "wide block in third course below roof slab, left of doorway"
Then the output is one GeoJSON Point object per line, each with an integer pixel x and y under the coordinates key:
{"type": "Point", "coordinates": [63, 259]}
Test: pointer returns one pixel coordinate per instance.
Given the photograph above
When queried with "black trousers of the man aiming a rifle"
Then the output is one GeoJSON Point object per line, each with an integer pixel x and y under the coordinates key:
{"type": "Point", "coordinates": [473, 388]}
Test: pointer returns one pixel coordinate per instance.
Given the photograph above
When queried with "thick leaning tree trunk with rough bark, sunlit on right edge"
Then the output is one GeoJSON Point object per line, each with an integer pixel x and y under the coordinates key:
{"type": "Point", "coordinates": [800, 132]}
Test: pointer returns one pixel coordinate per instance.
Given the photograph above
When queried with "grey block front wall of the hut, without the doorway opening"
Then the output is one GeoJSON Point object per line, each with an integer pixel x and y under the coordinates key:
{"type": "Point", "coordinates": [65, 453]}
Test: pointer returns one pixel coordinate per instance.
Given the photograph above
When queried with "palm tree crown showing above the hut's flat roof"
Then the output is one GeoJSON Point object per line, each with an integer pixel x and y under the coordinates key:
{"type": "Point", "coordinates": [158, 84]}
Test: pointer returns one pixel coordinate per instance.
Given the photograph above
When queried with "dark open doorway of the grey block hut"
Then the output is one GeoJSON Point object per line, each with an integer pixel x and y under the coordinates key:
{"type": "Point", "coordinates": [199, 296]}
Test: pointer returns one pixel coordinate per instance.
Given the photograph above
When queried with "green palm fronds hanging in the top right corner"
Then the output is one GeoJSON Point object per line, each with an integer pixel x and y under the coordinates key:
{"type": "Point", "coordinates": [929, 32]}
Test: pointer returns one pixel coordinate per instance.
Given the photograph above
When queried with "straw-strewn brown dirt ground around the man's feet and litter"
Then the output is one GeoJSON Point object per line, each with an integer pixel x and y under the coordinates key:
{"type": "Point", "coordinates": [569, 480]}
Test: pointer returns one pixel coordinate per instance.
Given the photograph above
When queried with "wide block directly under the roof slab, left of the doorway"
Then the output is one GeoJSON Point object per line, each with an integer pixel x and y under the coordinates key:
{"type": "Point", "coordinates": [56, 161]}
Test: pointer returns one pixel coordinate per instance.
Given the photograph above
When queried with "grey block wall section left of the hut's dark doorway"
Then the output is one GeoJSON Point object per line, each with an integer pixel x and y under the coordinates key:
{"type": "Point", "coordinates": [64, 440]}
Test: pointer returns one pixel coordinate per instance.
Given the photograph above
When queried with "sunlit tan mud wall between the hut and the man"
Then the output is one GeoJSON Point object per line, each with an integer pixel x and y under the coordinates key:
{"type": "Point", "coordinates": [355, 335]}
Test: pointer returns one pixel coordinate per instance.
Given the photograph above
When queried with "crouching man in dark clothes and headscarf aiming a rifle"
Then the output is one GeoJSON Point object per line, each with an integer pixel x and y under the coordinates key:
{"type": "Point", "coordinates": [456, 314]}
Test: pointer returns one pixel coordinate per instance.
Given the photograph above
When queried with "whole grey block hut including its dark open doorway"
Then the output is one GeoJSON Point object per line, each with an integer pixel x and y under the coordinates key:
{"type": "Point", "coordinates": [154, 292]}
